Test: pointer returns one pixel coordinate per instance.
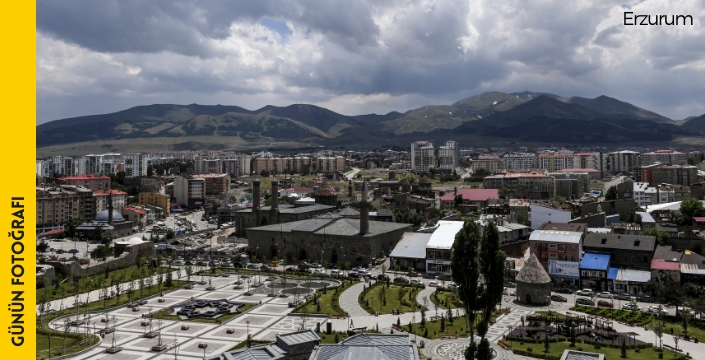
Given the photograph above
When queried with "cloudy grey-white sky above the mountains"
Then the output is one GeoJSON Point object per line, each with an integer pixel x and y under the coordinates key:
{"type": "Point", "coordinates": [358, 57]}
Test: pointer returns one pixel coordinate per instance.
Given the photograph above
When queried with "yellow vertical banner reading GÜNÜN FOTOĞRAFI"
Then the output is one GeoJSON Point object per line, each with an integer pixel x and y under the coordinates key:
{"type": "Point", "coordinates": [17, 190]}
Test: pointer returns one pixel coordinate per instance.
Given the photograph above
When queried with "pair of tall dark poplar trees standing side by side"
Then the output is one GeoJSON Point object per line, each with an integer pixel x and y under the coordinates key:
{"type": "Point", "coordinates": [478, 266]}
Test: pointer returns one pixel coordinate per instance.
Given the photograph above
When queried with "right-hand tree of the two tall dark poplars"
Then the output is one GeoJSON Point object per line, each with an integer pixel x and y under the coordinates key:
{"type": "Point", "coordinates": [492, 267]}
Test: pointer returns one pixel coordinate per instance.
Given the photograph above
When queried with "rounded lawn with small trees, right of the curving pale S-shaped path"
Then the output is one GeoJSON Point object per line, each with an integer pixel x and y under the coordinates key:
{"type": "Point", "coordinates": [397, 298]}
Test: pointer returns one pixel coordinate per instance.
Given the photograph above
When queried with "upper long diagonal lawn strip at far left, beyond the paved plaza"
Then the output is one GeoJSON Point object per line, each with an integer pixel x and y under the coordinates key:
{"type": "Point", "coordinates": [95, 282]}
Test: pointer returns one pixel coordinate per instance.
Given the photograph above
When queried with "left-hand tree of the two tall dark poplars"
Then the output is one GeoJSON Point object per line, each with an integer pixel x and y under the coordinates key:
{"type": "Point", "coordinates": [466, 273]}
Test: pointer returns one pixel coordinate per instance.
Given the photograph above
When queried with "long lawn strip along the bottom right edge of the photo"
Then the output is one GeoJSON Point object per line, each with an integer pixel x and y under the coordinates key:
{"type": "Point", "coordinates": [556, 351]}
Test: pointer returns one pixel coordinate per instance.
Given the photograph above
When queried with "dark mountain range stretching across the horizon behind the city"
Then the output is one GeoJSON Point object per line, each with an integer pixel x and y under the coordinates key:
{"type": "Point", "coordinates": [493, 116]}
